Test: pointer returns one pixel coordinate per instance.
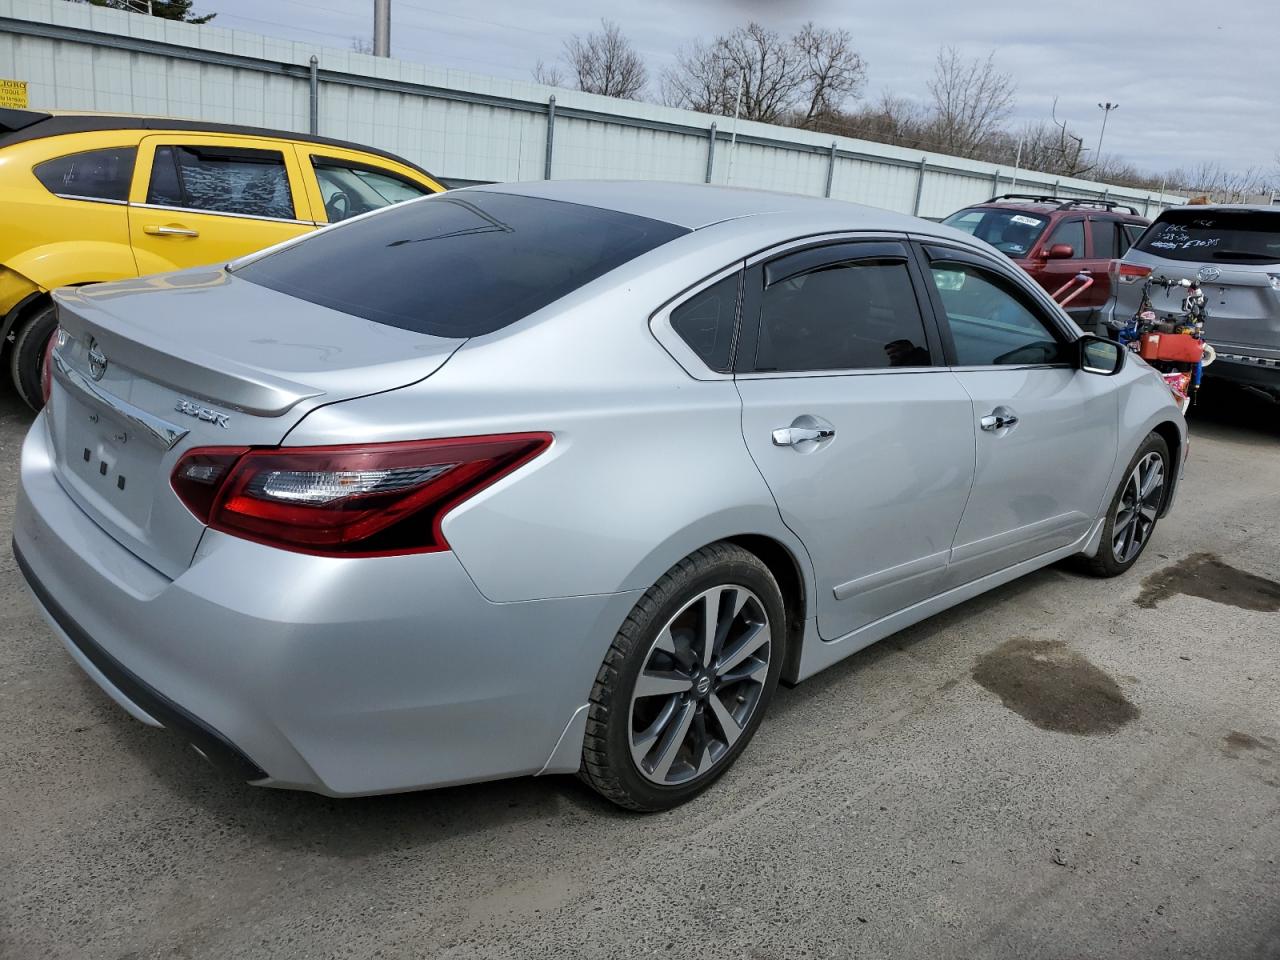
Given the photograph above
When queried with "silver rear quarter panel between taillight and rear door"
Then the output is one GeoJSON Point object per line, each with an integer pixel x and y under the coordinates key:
{"type": "Point", "coordinates": [647, 467]}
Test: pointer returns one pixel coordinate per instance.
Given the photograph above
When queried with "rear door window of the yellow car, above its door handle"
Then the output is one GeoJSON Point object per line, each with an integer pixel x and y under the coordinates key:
{"type": "Point", "coordinates": [222, 180]}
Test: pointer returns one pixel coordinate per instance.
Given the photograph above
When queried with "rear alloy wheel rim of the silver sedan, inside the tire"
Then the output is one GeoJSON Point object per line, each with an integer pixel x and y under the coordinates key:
{"type": "Point", "coordinates": [700, 685]}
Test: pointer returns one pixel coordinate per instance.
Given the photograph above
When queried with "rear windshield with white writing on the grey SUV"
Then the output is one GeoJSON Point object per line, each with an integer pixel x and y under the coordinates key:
{"type": "Point", "coordinates": [1223, 236]}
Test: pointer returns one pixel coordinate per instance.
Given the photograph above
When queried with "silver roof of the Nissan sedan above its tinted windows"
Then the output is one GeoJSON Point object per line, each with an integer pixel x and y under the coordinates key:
{"type": "Point", "coordinates": [698, 205]}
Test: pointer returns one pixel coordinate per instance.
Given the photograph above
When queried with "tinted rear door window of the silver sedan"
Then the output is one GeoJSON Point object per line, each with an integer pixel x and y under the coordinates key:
{"type": "Point", "coordinates": [858, 316]}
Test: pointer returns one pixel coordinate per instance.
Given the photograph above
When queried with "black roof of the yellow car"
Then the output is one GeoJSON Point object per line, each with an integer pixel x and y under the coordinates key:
{"type": "Point", "coordinates": [21, 126]}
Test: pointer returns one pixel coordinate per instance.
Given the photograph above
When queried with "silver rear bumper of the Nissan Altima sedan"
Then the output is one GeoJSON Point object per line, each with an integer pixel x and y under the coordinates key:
{"type": "Point", "coordinates": [340, 676]}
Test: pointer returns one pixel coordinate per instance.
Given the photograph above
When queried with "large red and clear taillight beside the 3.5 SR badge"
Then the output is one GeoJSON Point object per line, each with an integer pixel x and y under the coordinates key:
{"type": "Point", "coordinates": [367, 500]}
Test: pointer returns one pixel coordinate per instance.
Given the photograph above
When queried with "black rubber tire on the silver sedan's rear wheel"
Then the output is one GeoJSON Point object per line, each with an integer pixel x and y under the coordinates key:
{"type": "Point", "coordinates": [607, 752]}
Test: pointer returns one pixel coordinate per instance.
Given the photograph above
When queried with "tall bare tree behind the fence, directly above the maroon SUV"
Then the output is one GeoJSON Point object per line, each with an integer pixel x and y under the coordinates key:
{"type": "Point", "coordinates": [972, 100]}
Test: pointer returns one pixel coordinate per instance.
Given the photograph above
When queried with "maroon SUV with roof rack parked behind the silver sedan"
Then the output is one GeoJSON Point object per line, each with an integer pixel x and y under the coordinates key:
{"type": "Point", "coordinates": [1054, 240]}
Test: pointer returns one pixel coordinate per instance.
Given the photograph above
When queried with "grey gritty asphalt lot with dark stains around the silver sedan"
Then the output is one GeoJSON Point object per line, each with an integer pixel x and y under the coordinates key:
{"type": "Point", "coordinates": [1063, 769]}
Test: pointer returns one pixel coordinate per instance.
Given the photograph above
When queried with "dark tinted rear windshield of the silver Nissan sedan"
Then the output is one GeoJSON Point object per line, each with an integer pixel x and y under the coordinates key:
{"type": "Point", "coordinates": [459, 264]}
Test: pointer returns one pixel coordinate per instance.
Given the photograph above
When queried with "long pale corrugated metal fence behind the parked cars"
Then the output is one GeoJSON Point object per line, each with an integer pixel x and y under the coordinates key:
{"type": "Point", "coordinates": [470, 127]}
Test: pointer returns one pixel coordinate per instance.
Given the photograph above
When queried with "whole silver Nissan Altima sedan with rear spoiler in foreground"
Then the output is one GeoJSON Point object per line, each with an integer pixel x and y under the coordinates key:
{"type": "Point", "coordinates": [560, 478]}
